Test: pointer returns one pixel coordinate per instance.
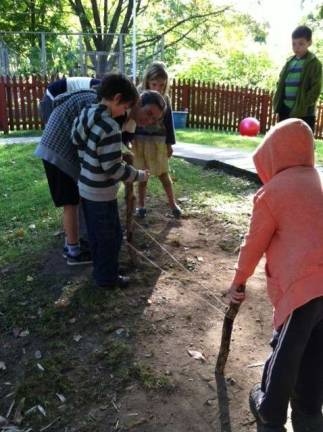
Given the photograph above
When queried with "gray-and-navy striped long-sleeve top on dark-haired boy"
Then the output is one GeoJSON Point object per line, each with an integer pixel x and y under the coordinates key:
{"type": "Point", "coordinates": [98, 140]}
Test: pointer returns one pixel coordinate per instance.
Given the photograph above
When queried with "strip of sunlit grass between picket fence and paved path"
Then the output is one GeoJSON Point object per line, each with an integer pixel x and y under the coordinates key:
{"type": "Point", "coordinates": [231, 140]}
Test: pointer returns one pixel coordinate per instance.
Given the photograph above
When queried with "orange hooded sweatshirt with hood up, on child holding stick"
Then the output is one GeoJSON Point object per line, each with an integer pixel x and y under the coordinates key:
{"type": "Point", "coordinates": [287, 220]}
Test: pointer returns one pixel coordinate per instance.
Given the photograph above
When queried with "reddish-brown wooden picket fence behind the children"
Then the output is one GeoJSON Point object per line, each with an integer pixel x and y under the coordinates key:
{"type": "Point", "coordinates": [209, 106]}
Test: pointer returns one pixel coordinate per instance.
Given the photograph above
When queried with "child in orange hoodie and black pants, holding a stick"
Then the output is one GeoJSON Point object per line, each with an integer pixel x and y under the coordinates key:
{"type": "Point", "coordinates": [287, 226]}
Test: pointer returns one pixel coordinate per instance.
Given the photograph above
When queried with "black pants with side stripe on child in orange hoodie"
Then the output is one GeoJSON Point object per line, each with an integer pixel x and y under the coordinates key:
{"type": "Point", "coordinates": [294, 371]}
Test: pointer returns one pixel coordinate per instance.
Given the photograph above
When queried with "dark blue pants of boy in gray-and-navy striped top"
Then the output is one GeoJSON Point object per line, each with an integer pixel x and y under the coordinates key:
{"type": "Point", "coordinates": [105, 237]}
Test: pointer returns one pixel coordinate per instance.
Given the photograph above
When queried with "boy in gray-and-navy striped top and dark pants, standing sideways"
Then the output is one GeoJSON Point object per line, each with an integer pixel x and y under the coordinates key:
{"type": "Point", "coordinates": [98, 138]}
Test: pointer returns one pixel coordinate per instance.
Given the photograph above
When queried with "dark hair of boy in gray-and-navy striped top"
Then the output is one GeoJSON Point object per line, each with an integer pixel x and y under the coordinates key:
{"type": "Point", "coordinates": [117, 83]}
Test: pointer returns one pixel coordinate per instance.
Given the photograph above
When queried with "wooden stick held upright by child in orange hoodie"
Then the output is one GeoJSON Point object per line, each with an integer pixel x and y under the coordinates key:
{"type": "Point", "coordinates": [230, 315]}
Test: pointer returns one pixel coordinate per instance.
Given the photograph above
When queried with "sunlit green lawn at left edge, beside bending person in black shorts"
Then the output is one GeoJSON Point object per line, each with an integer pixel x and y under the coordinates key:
{"type": "Point", "coordinates": [27, 216]}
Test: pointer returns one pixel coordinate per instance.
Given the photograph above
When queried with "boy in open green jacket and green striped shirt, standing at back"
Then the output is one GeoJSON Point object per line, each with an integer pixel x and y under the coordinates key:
{"type": "Point", "coordinates": [300, 80]}
